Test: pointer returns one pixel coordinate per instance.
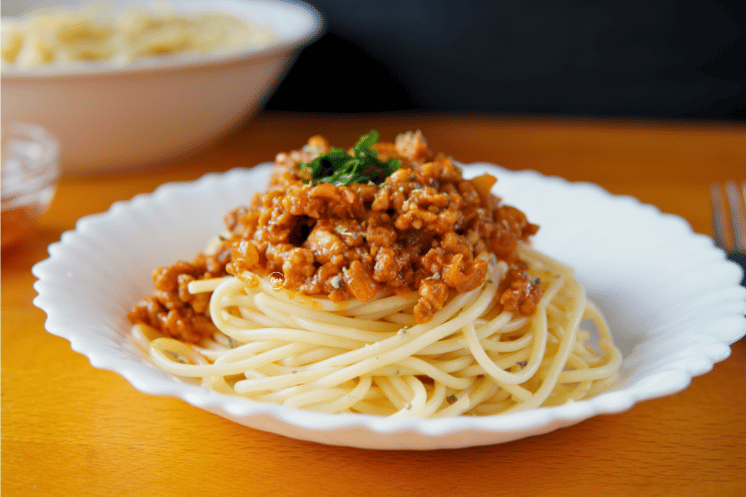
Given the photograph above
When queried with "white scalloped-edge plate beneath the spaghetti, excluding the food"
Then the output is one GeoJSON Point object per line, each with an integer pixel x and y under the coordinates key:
{"type": "Point", "coordinates": [673, 301]}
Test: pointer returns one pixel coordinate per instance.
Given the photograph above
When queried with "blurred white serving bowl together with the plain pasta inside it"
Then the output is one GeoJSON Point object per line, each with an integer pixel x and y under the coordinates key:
{"type": "Point", "coordinates": [136, 88]}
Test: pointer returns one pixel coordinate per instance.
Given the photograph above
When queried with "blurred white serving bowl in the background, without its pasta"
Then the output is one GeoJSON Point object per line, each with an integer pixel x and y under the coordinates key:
{"type": "Point", "coordinates": [108, 116]}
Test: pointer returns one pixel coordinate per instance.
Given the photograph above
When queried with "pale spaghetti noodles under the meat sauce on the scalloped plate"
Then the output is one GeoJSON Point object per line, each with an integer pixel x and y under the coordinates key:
{"type": "Point", "coordinates": [474, 354]}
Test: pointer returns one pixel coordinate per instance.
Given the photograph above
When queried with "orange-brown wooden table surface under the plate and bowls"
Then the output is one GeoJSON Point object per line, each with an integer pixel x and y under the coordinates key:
{"type": "Point", "coordinates": [71, 430]}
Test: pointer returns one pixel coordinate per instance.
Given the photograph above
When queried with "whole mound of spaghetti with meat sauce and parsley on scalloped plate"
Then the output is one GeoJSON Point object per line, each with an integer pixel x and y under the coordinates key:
{"type": "Point", "coordinates": [338, 296]}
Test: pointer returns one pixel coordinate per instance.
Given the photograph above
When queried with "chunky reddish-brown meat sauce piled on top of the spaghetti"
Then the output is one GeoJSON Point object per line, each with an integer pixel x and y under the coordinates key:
{"type": "Point", "coordinates": [419, 230]}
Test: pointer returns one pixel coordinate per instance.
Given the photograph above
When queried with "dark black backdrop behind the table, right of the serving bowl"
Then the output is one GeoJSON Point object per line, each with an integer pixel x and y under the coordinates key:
{"type": "Point", "coordinates": [654, 58]}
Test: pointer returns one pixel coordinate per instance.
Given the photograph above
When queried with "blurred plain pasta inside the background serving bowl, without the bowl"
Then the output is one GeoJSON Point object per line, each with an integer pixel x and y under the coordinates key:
{"type": "Point", "coordinates": [96, 33]}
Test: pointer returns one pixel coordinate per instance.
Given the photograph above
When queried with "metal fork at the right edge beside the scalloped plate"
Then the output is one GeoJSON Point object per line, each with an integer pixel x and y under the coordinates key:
{"type": "Point", "coordinates": [730, 236]}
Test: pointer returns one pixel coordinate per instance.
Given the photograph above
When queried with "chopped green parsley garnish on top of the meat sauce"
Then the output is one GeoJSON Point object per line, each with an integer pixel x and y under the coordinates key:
{"type": "Point", "coordinates": [340, 168]}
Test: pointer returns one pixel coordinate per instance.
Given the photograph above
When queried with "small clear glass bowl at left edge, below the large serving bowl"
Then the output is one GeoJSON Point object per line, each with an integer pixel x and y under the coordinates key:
{"type": "Point", "coordinates": [30, 169]}
